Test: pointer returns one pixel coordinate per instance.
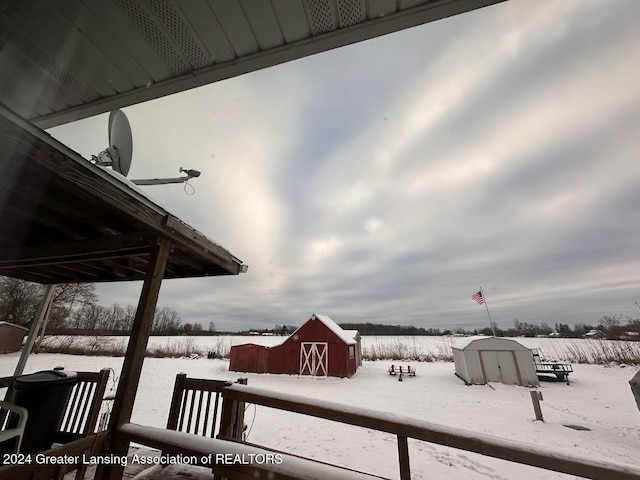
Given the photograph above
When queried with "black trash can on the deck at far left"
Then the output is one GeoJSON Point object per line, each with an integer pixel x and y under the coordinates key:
{"type": "Point", "coordinates": [44, 395]}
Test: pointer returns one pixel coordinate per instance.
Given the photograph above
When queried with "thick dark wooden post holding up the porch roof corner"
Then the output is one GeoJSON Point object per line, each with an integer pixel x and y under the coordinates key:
{"type": "Point", "coordinates": [134, 358]}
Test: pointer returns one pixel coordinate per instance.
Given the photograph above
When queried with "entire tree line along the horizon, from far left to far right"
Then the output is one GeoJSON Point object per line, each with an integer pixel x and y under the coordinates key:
{"type": "Point", "coordinates": [75, 310]}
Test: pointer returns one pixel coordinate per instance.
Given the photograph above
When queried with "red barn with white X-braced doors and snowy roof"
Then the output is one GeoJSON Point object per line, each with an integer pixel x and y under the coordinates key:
{"type": "Point", "coordinates": [319, 347]}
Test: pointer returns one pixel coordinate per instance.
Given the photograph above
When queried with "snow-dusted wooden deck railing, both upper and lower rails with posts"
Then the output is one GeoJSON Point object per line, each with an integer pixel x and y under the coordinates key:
{"type": "Point", "coordinates": [296, 467]}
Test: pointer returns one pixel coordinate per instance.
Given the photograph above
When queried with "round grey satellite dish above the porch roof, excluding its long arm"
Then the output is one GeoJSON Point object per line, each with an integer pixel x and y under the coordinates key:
{"type": "Point", "coordinates": [119, 153]}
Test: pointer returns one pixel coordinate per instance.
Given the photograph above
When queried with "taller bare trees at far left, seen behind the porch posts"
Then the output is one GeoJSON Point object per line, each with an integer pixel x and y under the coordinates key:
{"type": "Point", "coordinates": [75, 310]}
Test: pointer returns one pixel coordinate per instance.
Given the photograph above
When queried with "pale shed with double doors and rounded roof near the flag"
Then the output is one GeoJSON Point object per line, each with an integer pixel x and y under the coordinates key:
{"type": "Point", "coordinates": [493, 359]}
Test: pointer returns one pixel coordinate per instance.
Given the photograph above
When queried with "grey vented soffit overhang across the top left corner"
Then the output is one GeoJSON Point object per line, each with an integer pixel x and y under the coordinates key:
{"type": "Point", "coordinates": [63, 61]}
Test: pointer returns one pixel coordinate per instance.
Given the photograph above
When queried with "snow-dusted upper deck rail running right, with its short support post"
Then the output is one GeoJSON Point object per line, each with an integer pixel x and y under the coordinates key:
{"type": "Point", "coordinates": [405, 427]}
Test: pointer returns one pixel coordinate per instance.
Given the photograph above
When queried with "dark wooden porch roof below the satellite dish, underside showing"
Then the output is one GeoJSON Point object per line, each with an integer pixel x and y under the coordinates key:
{"type": "Point", "coordinates": [65, 220]}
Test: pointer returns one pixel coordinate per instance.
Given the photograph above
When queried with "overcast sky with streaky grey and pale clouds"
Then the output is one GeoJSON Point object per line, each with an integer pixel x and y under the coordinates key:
{"type": "Point", "coordinates": [388, 181]}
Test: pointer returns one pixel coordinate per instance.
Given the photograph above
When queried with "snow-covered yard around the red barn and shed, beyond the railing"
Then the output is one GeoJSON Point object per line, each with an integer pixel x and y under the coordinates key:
{"type": "Point", "coordinates": [598, 399]}
